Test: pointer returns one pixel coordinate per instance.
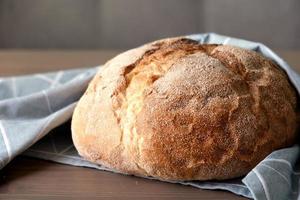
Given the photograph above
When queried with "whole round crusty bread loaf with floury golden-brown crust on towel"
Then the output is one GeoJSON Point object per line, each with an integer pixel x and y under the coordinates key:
{"type": "Point", "coordinates": [178, 110]}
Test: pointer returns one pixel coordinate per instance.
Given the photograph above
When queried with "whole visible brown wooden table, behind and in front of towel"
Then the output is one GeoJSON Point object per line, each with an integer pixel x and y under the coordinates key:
{"type": "Point", "coordinates": [28, 178]}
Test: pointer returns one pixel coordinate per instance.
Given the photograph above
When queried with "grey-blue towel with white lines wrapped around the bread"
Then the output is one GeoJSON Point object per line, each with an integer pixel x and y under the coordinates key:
{"type": "Point", "coordinates": [31, 106]}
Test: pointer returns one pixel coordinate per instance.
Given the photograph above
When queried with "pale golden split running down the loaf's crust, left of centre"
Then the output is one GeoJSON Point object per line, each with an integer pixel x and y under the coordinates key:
{"type": "Point", "coordinates": [141, 76]}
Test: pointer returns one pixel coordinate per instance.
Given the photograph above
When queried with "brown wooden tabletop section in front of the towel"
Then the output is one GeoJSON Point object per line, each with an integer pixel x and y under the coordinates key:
{"type": "Point", "coordinates": [28, 178]}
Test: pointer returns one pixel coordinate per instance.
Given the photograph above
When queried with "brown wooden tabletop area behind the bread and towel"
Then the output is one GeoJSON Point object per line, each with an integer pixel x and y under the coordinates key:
{"type": "Point", "coordinates": [17, 62]}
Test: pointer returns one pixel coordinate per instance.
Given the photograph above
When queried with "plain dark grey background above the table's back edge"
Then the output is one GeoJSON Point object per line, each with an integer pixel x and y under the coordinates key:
{"type": "Point", "coordinates": [121, 24]}
